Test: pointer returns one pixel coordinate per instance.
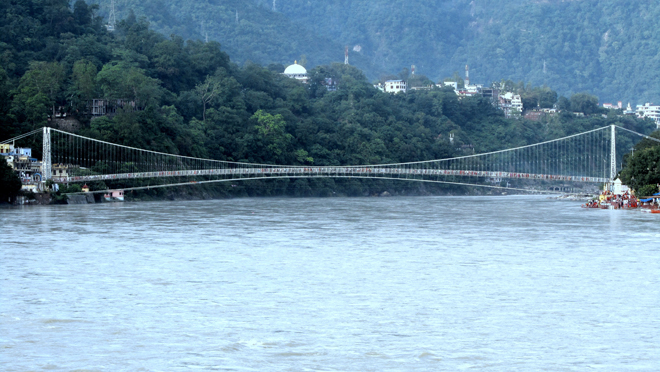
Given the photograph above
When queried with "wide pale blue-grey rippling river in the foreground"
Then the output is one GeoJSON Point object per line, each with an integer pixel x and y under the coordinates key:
{"type": "Point", "coordinates": [341, 284]}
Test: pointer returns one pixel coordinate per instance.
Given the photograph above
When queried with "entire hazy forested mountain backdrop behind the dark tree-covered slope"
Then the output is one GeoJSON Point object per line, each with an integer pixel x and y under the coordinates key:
{"type": "Point", "coordinates": [607, 48]}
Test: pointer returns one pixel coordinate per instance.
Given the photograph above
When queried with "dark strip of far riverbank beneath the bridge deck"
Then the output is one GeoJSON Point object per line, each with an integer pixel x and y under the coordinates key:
{"type": "Point", "coordinates": [296, 188]}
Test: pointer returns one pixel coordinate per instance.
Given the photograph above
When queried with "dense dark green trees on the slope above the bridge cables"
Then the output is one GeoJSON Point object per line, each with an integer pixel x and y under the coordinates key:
{"type": "Point", "coordinates": [190, 99]}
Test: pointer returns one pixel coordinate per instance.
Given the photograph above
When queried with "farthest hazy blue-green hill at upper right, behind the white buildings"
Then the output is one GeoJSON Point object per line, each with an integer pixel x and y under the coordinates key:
{"type": "Point", "coordinates": [607, 48]}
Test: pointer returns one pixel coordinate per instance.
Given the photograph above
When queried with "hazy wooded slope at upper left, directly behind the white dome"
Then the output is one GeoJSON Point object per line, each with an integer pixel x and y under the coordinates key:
{"type": "Point", "coordinates": [248, 31]}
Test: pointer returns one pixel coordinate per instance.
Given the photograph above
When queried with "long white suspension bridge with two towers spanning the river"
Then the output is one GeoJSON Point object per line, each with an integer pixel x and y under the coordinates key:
{"type": "Point", "coordinates": [593, 156]}
